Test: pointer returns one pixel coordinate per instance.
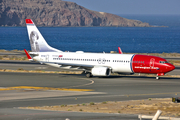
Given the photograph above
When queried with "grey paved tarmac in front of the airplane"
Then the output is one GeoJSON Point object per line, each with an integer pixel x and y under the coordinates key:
{"type": "Point", "coordinates": [114, 88]}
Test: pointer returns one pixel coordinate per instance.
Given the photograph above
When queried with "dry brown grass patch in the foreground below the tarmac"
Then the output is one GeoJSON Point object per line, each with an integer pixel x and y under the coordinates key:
{"type": "Point", "coordinates": [125, 107]}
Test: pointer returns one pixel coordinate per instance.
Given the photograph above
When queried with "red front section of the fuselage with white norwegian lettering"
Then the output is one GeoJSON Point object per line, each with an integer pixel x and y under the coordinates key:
{"type": "Point", "coordinates": [150, 64]}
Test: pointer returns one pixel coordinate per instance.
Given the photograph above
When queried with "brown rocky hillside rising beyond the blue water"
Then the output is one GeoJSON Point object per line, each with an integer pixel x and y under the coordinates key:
{"type": "Point", "coordinates": [58, 13]}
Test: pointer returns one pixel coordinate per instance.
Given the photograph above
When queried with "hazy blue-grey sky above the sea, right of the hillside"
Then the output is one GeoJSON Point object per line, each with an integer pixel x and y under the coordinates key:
{"type": "Point", "coordinates": [132, 6]}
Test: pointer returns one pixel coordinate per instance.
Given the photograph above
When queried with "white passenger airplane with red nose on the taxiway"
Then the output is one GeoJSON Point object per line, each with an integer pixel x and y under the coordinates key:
{"type": "Point", "coordinates": [93, 64]}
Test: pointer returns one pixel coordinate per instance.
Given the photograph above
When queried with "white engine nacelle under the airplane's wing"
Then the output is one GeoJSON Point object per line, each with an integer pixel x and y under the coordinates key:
{"type": "Point", "coordinates": [101, 71]}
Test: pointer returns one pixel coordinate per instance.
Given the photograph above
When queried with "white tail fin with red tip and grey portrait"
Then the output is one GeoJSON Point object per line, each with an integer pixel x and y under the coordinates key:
{"type": "Point", "coordinates": [37, 42]}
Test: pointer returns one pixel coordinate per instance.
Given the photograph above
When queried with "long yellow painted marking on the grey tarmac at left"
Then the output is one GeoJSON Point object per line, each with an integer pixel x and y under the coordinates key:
{"type": "Point", "coordinates": [42, 88]}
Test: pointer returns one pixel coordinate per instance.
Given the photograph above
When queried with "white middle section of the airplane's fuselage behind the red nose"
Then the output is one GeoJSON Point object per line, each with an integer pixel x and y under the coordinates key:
{"type": "Point", "coordinates": [117, 62]}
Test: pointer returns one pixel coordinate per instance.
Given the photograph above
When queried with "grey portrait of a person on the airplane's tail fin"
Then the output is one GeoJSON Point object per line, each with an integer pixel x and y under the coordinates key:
{"type": "Point", "coordinates": [34, 41]}
